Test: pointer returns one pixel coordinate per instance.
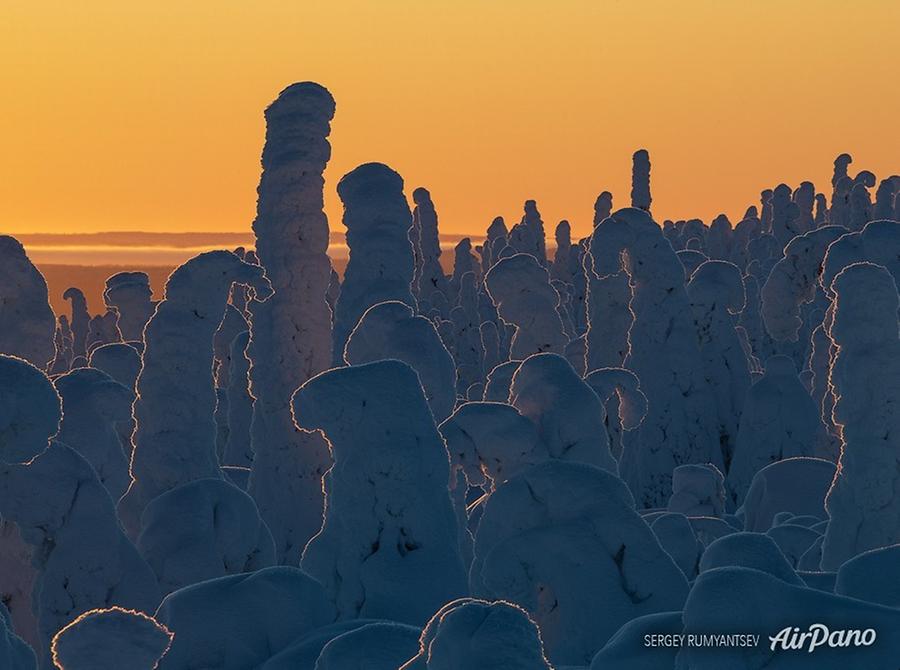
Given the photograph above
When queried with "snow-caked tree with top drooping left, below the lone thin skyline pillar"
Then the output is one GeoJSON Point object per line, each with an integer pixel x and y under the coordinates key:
{"type": "Point", "coordinates": [681, 425]}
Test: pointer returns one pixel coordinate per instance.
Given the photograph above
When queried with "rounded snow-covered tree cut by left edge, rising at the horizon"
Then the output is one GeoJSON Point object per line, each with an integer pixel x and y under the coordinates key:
{"type": "Point", "coordinates": [29, 325]}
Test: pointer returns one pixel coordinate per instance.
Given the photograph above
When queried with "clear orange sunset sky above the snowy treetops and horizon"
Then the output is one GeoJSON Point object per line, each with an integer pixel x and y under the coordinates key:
{"type": "Point", "coordinates": [132, 115]}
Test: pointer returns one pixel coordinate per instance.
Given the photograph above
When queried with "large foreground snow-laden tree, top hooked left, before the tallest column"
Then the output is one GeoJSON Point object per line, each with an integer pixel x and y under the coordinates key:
{"type": "Point", "coordinates": [388, 515]}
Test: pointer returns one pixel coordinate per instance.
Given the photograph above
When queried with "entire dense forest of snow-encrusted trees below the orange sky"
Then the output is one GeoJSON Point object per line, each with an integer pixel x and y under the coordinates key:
{"type": "Point", "coordinates": [536, 461]}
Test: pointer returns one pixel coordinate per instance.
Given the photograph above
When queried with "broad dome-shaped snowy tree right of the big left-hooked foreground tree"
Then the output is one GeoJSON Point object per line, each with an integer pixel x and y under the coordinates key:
{"type": "Point", "coordinates": [564, 541]}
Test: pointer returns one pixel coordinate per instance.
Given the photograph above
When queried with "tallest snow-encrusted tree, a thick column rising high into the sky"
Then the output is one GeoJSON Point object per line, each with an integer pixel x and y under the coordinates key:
{"type": "Point", "coordinates": [291, 331]}
